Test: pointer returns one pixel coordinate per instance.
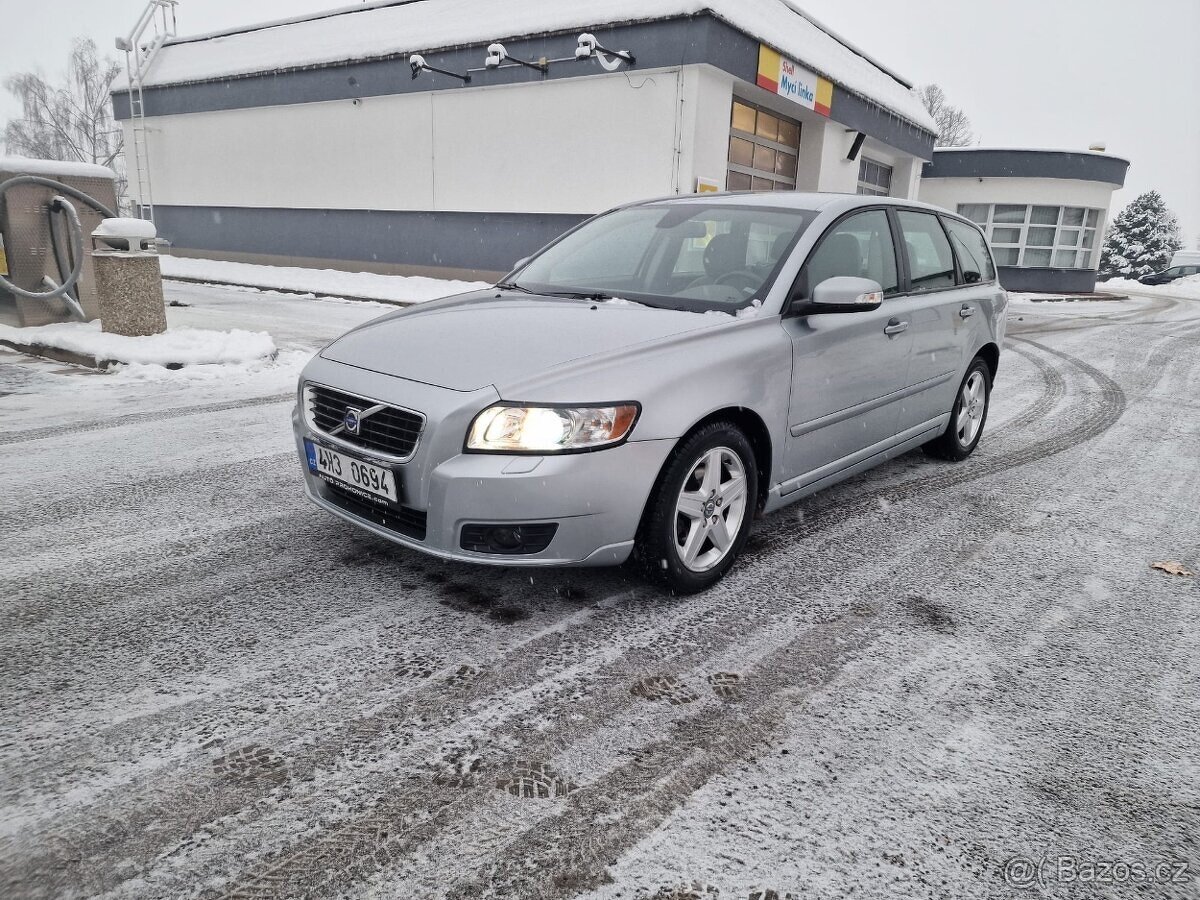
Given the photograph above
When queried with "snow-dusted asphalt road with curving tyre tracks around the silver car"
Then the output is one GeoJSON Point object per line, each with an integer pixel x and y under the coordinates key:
{"type": "Point", "coordinates": [213, 689]}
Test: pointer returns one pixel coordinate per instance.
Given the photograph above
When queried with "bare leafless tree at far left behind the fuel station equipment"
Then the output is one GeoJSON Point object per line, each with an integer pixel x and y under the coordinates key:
{"type": "Point", "coordinates": [73, 122]}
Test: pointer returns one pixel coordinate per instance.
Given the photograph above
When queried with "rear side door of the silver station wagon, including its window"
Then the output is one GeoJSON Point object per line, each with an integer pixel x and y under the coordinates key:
{"type": "Point", "coordinates": [938, 307]}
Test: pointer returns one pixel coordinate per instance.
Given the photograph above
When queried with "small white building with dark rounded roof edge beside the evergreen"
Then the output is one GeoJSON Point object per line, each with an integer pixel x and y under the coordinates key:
{"type": "Point", "coordinates": [1045, 212]}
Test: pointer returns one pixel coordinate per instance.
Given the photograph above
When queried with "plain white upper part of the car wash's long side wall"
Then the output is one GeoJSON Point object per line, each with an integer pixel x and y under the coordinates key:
{"type": "Point", "coordinates": [514, 148]}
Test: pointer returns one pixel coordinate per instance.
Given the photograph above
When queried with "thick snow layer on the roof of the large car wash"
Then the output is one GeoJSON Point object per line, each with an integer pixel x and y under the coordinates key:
{"type": "Point", "coordinates": [393, 28]}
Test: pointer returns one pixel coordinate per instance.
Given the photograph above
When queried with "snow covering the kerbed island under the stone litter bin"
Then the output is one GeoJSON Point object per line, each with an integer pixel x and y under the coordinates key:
{"type": "Point", "coordinates": [181, 347]}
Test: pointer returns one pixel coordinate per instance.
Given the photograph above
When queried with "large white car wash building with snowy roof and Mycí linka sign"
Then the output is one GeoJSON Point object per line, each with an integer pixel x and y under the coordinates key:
{"type": "Point", "coordinates": [311, 142]}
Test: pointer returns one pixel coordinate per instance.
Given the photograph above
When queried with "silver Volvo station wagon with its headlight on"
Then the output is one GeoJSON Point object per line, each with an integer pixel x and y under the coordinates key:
{"type": "Point", "coordinates": [656, 380]}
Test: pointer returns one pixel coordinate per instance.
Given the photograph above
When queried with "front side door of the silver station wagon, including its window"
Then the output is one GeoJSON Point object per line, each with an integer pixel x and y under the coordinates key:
{"type": "Point", "coordinates": [848, 368]}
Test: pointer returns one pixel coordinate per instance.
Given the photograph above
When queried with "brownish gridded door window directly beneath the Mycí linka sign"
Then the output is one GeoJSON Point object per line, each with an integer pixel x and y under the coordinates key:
{"type": "Point", "coordinates": [765, 151]}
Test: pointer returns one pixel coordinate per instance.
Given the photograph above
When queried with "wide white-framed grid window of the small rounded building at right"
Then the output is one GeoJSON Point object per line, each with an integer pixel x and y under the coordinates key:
{"type": "Point", "coordinates": [1031, 237]}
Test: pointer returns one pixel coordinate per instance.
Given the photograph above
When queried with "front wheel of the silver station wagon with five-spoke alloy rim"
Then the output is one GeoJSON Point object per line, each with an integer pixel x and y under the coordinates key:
{"type": "Point", "coordinates": [697, 524]}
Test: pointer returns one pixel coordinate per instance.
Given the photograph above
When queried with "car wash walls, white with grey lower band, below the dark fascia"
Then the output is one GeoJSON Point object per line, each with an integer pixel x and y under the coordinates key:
{"type": "Point", "coordinates": [461, 183]}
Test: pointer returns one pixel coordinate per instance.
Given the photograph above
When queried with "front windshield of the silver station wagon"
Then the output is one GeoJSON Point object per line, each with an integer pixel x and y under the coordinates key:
{"type": "Point", "coordinates": [685, 256]}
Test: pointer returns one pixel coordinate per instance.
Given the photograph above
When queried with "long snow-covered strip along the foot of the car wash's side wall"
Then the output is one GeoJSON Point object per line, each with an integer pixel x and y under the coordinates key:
{"type": "Point", "coordinates": [331, 283]}
